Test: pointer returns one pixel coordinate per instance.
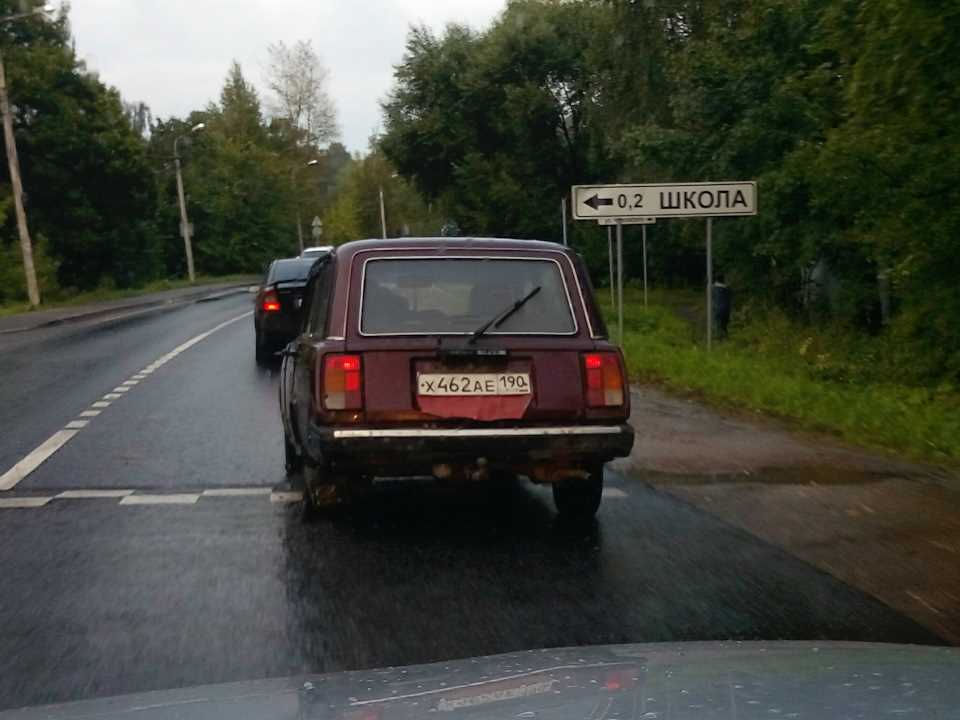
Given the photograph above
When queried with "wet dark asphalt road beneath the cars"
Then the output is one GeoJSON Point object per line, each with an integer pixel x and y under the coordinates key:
{"type": "Point", "coordinates": [101, 598]}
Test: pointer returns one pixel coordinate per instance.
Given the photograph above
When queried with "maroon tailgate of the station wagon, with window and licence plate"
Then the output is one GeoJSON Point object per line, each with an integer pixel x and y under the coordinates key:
{"type": "Point", "coordinates": [414, 321]}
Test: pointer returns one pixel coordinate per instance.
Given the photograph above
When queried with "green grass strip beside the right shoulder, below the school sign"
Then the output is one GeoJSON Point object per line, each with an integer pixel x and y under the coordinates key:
{"type": "Point", "coordinates": [823, 380]}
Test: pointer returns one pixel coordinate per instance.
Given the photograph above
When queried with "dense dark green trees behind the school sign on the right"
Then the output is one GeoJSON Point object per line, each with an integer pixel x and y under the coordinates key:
{"type": "Point", "coordinates": [845, 111]}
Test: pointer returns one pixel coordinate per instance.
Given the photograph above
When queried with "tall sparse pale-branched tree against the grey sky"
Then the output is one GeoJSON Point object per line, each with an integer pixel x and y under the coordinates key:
{"type": "Point", "coordinates": [298, 82]}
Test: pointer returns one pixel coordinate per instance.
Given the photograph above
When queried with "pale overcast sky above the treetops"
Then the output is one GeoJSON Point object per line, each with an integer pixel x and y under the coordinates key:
{"type": "Point", "coordinates": [174, 54]}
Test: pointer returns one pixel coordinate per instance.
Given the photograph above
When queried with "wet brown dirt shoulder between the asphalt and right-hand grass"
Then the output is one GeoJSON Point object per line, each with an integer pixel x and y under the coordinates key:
{"type": "Point", "coordinates": [888, 527]}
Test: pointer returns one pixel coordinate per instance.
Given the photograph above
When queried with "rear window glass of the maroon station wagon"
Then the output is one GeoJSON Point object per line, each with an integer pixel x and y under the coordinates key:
{"type": "Point", "coordinates": [458, 295]}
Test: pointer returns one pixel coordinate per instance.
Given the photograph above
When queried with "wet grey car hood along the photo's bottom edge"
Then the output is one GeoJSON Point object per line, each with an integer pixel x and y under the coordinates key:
{"type": "Point", "coordinates": [735, 681]}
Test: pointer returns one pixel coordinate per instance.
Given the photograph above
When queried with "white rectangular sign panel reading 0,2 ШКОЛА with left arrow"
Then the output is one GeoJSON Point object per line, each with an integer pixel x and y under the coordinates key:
{"type": "Point", "coordinates": [591, 202]}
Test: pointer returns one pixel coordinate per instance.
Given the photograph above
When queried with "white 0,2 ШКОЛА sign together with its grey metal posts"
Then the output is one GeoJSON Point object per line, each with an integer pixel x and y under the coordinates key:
{"type": "Point", "coordinates": [641, 204]}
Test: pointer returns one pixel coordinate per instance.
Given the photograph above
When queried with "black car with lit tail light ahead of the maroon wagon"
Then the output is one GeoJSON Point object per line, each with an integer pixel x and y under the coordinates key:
{"type": "Point", "coordinates": [276, 318]}
